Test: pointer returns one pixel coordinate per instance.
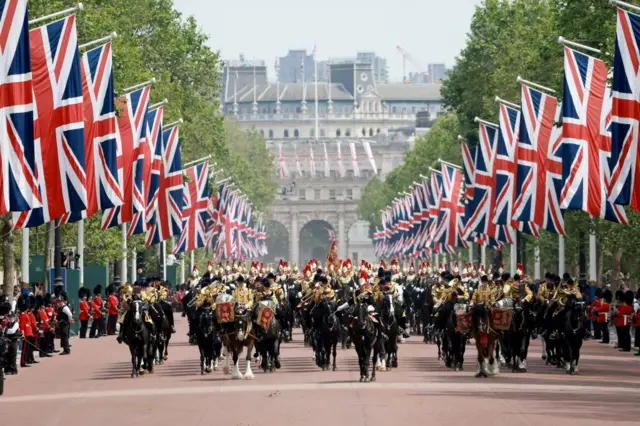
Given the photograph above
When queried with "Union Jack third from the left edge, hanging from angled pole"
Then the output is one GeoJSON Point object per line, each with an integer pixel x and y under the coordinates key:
{"type": "Point", "coordinates": [101, 156]}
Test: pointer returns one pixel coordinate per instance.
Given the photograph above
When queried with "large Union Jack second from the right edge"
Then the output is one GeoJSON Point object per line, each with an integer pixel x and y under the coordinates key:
{"type": "Point", "coordinates": [586, 146]}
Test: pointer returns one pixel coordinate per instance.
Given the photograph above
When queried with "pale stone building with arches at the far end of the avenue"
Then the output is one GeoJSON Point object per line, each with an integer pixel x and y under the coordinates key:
{"type": "Point", "coordinates": [321, 178]}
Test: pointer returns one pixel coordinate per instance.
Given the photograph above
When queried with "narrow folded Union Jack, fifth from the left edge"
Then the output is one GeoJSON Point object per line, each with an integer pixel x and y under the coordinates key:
{"type": "Point", "coordinates": [147, 173]}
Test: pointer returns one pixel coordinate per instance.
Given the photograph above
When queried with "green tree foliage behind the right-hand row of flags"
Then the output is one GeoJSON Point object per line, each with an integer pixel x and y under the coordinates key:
{"type": "Point", "coordinates": [507, 39]}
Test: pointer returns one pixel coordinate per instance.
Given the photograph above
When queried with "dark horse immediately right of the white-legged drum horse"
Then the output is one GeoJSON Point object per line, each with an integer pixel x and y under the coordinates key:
{"type": "Point", "coordinates": [268, 337]}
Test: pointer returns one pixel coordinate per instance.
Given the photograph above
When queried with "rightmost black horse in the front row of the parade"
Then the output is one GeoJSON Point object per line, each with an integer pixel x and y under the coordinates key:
{"type": "Point", "coordinates": [573, 331]}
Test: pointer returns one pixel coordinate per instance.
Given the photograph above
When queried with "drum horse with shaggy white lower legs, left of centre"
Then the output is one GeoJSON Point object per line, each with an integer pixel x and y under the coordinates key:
{"type": "Point", "coordinates": [236, 335]}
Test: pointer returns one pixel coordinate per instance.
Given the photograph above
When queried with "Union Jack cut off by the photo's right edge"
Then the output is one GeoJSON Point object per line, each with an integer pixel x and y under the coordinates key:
{"type": "Point", "coordinates": [625, 177]}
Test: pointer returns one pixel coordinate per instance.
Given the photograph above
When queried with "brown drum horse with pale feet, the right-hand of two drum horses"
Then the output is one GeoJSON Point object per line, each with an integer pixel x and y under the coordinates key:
{"type": "Point", "coordinates": [485, 338]}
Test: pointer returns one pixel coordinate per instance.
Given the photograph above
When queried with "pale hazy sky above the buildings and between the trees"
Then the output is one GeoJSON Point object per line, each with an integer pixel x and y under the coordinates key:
{"type": "Point", "coordinates": [431, 31]}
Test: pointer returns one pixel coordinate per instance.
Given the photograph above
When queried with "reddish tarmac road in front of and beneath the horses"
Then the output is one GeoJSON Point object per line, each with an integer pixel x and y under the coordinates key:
{"type": "Point", "coordinates": [93, 387]}
